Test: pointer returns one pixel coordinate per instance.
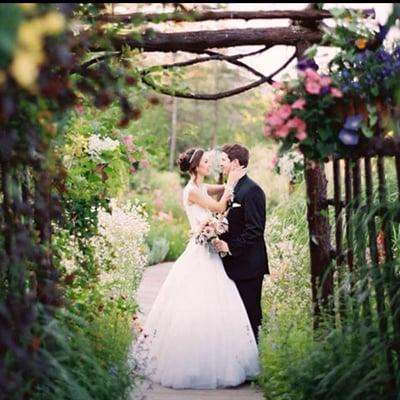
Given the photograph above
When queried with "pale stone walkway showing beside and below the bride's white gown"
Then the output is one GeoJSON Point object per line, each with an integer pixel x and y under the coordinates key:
{"type": "Point", "coordinates": [152, 280]}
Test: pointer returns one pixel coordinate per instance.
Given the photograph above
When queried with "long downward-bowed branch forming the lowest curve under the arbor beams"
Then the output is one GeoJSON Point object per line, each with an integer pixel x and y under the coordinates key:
{"type": "Point", "coordinates": [221, 95]}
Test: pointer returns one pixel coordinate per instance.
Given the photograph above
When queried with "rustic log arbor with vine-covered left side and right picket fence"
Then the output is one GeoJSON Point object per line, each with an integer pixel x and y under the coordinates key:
{"type": "Point", "coordinates": [28, 206]}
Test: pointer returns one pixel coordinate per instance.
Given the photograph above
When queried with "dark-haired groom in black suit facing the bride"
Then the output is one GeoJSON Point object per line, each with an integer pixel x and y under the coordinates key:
{"type": "Point", "coordinates": [247, 261]}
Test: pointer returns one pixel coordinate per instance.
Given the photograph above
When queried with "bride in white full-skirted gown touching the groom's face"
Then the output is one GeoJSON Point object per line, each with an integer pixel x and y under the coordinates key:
{"type": "Point", "coordinates": [197, 334]}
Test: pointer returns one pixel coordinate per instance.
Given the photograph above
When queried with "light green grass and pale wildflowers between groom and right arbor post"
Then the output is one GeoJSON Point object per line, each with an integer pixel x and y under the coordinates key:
{"type": "Point", "coordinates": [286, 334]}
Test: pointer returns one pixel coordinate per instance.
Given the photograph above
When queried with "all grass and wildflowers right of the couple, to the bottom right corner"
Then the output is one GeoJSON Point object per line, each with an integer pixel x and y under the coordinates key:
{"type": "Point", "coordinates": [355, 356]}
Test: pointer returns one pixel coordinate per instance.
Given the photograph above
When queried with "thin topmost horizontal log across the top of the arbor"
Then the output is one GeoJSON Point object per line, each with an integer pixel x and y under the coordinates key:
{"type": "Point", "coordinates": [193, 16]}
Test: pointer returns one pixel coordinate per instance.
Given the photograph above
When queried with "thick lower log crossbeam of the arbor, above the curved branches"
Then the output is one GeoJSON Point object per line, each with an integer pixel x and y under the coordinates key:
{"type": "Point", "coordinates": [199, 41]}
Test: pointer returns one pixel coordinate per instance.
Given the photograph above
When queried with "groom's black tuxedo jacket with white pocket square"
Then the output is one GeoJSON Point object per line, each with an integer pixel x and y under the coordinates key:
{"type": "Point", "coordinates": [245, 236]}
